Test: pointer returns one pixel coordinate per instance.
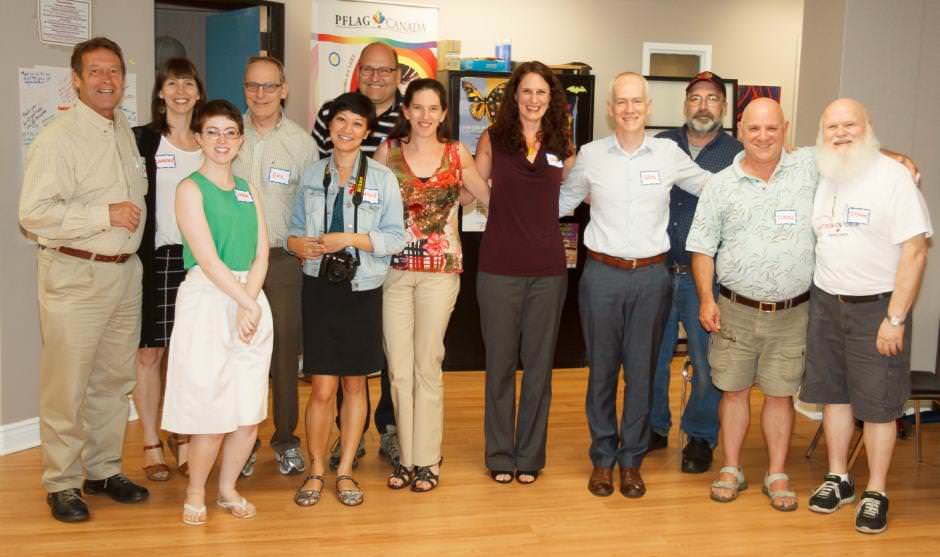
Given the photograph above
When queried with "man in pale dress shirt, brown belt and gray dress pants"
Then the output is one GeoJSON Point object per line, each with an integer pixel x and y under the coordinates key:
{"type": "Point", "coordinates": [625, 289]}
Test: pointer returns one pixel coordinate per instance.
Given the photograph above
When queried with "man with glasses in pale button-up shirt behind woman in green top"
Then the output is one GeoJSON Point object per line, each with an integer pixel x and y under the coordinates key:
{"type": "Point", "coordinates": [272, 159]}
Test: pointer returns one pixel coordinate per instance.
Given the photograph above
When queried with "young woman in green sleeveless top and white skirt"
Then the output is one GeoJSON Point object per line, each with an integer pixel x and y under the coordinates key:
{"type": "Point", "coordinates": [220, 349]}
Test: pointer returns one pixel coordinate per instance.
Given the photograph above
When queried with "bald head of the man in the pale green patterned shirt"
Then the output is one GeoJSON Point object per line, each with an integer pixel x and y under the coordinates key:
{"type": "Point", "coordinates": [762, 131]}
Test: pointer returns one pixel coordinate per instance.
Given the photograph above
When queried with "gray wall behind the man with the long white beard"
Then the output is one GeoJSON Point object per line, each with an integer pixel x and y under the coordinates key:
{"type": "Point", "coordinates": [886, 55]}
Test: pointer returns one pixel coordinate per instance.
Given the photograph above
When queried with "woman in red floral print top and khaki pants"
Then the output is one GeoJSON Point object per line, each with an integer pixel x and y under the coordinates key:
{"type": "Point", "coordinates": [421, 288]}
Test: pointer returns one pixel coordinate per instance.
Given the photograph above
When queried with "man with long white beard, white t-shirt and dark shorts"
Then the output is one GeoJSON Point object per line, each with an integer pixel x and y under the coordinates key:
{"type": "Point", "coordinates": [872, 226]}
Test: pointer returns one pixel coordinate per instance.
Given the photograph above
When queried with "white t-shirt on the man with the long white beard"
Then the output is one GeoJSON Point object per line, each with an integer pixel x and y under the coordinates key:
{"type": "Point", "coordinates": [860, 225]}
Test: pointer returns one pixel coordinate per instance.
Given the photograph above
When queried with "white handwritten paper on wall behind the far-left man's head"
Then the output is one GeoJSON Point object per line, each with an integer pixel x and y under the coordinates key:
{"type": "Point", "coordinates": [46, 91]}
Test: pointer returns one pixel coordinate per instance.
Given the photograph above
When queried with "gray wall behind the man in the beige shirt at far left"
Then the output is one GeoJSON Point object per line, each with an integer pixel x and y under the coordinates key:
{"type": "Point", "coordinates": [131, 25]}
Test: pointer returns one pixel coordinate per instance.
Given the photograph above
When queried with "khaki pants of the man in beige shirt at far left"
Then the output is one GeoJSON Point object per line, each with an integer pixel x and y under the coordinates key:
{"type": "Point", "coordinates": [90, 317]}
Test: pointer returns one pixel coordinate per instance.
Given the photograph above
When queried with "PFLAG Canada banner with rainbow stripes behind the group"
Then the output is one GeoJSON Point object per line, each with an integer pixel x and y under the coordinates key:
{"type": "Point", "coordinates": [341, 28]}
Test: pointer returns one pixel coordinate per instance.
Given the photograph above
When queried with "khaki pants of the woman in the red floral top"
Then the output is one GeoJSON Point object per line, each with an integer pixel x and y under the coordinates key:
{"type": "Point", "coordinates": [415, 311]}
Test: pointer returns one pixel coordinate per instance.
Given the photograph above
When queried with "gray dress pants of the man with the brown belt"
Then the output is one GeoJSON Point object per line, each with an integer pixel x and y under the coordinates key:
{"type": "Point", "coordinates": [622, 315]}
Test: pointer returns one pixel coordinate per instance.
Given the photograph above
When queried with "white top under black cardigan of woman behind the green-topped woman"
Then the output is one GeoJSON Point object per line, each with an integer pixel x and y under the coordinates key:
{"type": "Point", "coordinates": [173, 165]}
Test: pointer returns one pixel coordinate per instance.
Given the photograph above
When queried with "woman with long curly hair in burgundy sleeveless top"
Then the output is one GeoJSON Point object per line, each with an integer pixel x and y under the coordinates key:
{"type": "Point", "coordinates": [523, 279]}
